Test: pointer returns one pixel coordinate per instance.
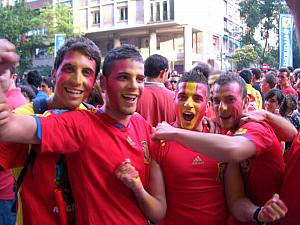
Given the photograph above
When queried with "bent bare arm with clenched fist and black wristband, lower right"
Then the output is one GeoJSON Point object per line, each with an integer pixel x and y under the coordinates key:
{"type": "Point", "coordinates": [243, 208]}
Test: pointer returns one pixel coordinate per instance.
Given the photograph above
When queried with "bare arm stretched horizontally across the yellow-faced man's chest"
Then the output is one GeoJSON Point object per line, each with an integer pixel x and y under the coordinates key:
{"type": "Point", "coordinates": [220, 147]}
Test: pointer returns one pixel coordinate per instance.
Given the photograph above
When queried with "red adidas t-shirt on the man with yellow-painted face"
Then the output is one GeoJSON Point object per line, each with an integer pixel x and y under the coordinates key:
{"type": "Point", "coordinates": [194, 186]}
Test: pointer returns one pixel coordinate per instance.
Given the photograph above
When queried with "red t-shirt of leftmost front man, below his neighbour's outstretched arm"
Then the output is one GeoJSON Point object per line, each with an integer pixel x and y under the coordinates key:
{"type": "Point", "coordinates": [37, 198]}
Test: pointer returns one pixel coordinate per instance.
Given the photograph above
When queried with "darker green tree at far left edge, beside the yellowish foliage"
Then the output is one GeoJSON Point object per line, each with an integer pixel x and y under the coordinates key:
{"type": "Point", "coordinates": [15, 27]}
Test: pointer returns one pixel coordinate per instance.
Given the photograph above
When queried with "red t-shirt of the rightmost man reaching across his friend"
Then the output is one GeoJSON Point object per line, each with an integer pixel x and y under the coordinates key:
{"type": "Point", "coordinates": [262, 173]}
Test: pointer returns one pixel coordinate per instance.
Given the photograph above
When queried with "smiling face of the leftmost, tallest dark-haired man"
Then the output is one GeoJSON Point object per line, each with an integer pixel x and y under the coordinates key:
{"type": "Point", "coordinates": [75, 78]}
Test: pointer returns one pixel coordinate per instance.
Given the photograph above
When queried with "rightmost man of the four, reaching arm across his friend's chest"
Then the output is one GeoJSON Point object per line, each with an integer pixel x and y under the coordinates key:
{"type": "Point", "coordinates": [253, 144]}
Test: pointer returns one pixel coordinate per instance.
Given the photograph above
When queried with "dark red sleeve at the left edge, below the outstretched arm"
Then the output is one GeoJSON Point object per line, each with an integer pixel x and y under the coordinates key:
{"type": "Point", "coordinates": [13, 155]}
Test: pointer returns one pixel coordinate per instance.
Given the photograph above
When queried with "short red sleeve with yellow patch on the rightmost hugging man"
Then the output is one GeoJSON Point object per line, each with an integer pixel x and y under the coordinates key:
{"type": "Point", "coordinates": [261, 134]}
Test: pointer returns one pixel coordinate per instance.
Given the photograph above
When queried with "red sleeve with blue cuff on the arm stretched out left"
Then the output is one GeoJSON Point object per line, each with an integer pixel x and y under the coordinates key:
{"type": "Point", "coordinates": [63, 133]}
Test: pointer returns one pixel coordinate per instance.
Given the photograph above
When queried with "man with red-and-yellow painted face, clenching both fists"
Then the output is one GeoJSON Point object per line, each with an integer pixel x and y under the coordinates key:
{"type": "Point", "coordinates": [194, 185]}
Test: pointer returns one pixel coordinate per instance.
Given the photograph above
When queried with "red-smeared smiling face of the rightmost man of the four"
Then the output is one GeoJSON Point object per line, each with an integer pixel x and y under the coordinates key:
{"type": "Point", "coordinates": [228, 104]}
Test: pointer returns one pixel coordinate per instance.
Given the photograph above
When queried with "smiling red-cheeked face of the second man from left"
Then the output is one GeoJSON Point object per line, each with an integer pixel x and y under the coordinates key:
{"type": "Point", "coordinates": [123, 86]}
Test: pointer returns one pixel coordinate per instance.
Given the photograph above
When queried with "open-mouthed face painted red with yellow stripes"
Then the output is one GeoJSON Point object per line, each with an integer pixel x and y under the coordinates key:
{"type": "Point", "coordinates": [190, 104]}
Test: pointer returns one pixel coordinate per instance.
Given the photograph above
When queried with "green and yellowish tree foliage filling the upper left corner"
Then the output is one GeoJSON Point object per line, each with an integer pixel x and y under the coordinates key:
{"type": "Point", "coordinates": [29, 29]}
